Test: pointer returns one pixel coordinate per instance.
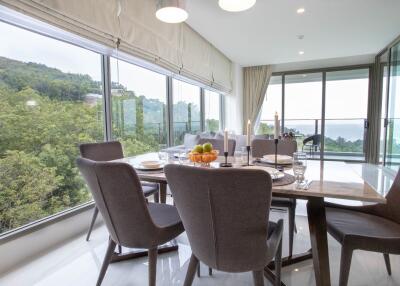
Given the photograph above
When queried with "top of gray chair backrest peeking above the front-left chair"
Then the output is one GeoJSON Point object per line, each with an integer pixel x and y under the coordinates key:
{"type": "Point", "coordinates": [104, 151]}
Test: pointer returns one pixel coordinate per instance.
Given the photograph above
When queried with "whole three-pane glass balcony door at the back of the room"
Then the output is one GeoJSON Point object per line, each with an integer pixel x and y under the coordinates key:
{"type": "Point", "coordinates": [341, 126]}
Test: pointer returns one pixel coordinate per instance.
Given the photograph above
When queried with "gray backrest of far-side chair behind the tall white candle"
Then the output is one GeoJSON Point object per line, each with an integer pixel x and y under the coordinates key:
{"type": "Point", "coordinates": [261, 147]}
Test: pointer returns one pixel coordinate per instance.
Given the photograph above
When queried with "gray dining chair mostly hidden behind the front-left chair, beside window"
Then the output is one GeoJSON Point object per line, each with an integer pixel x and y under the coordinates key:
{"type": "Point", "coordinates": [108, 151]}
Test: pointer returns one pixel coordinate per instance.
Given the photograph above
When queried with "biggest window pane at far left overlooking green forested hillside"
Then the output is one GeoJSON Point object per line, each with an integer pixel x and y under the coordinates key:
{"type": "Point", "coordinates": [50, 102]}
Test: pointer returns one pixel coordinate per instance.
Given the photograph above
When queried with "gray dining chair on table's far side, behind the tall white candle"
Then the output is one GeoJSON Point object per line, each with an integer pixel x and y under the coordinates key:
{"type": "Point", "coordinates": [261, 147]}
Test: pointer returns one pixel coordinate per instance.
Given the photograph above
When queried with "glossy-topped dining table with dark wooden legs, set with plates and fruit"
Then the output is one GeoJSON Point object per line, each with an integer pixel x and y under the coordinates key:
{"type": "Point", "coordinates": [352, 183]}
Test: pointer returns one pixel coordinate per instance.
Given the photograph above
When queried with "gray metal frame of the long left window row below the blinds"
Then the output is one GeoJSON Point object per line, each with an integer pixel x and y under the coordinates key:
{"type": "Point", "coordinates": [105, 53]}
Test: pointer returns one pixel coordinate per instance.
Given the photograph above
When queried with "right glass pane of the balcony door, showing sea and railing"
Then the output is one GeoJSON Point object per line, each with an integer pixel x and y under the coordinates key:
{"type": "Point", "coordinates": [345, 114]}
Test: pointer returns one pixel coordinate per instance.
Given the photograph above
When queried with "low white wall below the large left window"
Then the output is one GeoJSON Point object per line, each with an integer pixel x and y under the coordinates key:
{"type": "Point", "coordinates": [21, 250]}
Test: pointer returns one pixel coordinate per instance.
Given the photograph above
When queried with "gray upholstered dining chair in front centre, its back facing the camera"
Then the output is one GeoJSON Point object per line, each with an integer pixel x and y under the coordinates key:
{"type": "Point", "coordinates": [225, 213]}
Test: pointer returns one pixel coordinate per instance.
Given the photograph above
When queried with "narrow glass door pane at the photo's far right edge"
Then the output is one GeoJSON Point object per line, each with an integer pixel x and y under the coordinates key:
{"type": "Point", "coordinates": [393, 128]}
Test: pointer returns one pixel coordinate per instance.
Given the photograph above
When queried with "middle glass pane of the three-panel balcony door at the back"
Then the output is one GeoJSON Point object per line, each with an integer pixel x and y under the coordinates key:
{"type": "Point", "coordinates": [303, 105]}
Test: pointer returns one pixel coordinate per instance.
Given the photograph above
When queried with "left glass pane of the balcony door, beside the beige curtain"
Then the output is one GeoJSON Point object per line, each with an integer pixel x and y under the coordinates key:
{"type": "Point", "coordinates": [272, 104]}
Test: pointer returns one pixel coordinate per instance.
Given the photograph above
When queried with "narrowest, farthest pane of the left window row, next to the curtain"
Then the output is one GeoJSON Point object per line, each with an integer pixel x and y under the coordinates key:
{"type": "Point", "coordinates": [212, 111]}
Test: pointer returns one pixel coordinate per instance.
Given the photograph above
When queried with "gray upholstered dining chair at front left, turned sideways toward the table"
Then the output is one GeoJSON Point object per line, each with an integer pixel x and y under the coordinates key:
{"type": "Point", "coordinates": [130, 220]}
